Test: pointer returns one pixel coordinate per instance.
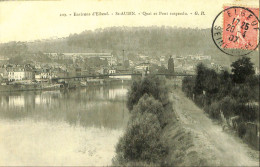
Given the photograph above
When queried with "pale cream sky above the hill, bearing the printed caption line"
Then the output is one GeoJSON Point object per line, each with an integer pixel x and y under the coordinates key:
{"type": "Point", "coordinates": [25, 20]}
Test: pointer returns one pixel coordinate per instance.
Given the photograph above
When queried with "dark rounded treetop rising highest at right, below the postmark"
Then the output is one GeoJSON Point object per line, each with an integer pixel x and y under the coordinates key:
{"type": "Point", "coordinates": [241, 69]}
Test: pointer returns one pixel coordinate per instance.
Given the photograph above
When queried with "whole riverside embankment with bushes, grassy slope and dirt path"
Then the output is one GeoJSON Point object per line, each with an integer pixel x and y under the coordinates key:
{"type": "Point", "coordinates": [181, 136]}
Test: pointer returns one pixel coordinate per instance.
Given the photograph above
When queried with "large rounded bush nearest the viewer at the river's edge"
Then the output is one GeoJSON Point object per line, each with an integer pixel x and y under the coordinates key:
{"type": "Point", "coordinates": [141, 141]}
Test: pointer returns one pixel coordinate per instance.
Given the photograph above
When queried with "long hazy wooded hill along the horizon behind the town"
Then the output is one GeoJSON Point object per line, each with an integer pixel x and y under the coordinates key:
{"type": "Point", "coordinates": [151, 41]}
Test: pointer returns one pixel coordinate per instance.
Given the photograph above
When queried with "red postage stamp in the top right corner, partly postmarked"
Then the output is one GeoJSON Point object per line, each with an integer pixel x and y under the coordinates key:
{"type": "Point", "coordinates": [240, 28]}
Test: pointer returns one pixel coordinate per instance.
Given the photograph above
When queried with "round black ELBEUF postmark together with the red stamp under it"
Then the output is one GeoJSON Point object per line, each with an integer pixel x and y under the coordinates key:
{"type": "Point", "coordinates": [235, 30]}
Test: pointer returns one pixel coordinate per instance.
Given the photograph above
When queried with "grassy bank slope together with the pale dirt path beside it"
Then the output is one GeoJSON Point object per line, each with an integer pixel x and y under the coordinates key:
{"type": "Point", "coordinates": [194, 139]}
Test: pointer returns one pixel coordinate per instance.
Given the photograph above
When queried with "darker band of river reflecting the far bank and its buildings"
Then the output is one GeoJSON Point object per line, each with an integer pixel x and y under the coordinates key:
{"type": "Point", "coordinates": [93, 106]}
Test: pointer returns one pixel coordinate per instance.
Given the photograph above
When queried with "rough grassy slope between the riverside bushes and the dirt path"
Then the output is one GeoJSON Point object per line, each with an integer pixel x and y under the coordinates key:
{"type": "Point", "coordinates": [181, 146]}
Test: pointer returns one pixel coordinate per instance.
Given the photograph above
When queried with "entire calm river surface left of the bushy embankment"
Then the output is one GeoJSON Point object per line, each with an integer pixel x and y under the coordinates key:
{"type": "Point", "coordinates": [72, 127]}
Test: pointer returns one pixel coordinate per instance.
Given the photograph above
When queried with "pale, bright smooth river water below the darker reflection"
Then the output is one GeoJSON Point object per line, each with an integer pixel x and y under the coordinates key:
{"type": "Point", "coordinates": [43, 143]}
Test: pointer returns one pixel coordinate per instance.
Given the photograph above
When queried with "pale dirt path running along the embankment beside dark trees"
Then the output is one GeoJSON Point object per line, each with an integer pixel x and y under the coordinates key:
{"type": "Point", "coordinates": [218, 147]}
